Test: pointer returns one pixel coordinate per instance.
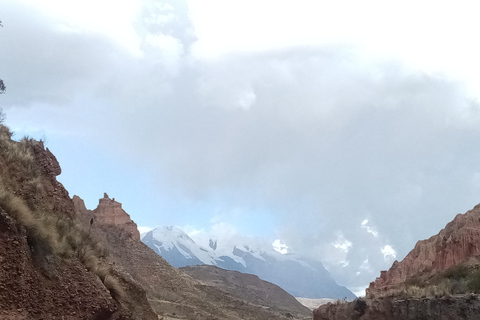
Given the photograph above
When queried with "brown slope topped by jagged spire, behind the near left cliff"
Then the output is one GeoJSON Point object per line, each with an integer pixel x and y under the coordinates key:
{"type": "Point", "coordinates": [171, 292]}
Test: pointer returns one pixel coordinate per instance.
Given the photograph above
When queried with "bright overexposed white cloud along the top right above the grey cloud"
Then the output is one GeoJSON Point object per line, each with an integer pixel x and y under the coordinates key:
{"type": "Point", "coordinates": [376, 28]}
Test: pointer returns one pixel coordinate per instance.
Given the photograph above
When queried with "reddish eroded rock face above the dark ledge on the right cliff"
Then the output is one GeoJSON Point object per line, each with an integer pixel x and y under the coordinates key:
{"type": "Point", "coordinates": [459, 241]}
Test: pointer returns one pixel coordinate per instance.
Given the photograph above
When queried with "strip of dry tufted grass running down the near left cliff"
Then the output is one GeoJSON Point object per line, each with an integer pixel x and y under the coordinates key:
{"type": "Point", "coordinates": [48, 232]}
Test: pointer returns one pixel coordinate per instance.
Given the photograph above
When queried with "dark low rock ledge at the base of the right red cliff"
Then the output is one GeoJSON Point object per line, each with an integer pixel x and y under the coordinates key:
{"type": "Point", "coordinates": [447, 308]}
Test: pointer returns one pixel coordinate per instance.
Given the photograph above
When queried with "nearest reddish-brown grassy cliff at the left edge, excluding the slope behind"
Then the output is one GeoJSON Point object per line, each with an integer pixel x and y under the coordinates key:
{"type": "Point", "coordinates": [50, 266]}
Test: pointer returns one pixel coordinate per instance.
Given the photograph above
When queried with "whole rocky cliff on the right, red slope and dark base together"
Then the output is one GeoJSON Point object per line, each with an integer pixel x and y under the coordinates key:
{"type": "Point", "coordinates": [436, 280]}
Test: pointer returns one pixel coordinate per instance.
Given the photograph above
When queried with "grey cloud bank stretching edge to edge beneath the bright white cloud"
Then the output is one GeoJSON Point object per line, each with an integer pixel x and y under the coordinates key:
{"type": "Point", "coordinates": [316, 137]}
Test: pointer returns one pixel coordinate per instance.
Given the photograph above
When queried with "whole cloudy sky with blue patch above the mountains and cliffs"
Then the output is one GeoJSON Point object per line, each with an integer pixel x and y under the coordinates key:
{"type": "Point", "coordinates": [345, 131]}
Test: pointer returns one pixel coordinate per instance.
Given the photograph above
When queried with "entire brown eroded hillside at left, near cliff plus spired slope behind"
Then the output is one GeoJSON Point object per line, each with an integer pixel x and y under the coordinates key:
{"type": "Point", "coordinates": [62, 261]}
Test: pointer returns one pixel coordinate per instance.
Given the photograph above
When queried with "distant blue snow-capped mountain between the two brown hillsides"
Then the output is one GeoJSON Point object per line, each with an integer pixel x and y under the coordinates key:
{"type": "Point", "coordinates": [299, 277]}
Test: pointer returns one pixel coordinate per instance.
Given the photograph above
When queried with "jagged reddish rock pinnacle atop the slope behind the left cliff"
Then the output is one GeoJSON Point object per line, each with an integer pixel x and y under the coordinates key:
{"type": "Point", "coordinates": [110, 212]}
